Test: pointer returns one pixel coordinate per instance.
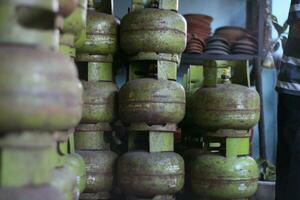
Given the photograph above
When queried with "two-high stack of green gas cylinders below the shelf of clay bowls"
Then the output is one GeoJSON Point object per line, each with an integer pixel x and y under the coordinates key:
{"type": "Point", "coordinates": [218, 164]}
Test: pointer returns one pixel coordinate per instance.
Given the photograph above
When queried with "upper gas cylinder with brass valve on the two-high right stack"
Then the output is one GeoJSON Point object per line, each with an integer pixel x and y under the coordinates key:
{"type": "Point", "coordinates": [226, 105]}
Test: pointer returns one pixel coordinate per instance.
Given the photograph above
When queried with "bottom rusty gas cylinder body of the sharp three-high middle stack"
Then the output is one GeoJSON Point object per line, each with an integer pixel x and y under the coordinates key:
{"type": "Point", "coordinates": [146, 175]}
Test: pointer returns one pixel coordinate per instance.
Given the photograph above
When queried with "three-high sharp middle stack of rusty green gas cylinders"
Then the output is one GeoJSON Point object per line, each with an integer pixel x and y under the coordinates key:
{"type": "Point", "coordinates": [151, 103]}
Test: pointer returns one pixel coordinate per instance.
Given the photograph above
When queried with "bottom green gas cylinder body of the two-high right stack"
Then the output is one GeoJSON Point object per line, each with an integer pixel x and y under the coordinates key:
{"type": "Point", "coordinates": [218, 177]}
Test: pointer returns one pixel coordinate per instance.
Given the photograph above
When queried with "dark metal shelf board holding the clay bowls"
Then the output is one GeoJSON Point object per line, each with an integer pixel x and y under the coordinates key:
{"type": "Point", "coordinates": [197, 59]}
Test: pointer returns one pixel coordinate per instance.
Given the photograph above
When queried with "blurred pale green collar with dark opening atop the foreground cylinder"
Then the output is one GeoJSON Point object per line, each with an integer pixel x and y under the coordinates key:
{"type": "Point", "coordinates": [34, 19]}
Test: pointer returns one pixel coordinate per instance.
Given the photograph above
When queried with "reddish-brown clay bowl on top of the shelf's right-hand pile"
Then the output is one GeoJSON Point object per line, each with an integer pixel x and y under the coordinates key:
{"type": "Point", "coordinates": [231, 33]}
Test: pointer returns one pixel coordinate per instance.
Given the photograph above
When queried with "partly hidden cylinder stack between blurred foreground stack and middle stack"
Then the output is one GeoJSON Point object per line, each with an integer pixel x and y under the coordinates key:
{"type": "Point", "coordinates": [94, 60]}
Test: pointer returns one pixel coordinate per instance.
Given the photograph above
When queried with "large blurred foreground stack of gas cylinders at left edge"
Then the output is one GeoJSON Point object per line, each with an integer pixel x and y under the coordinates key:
{"type": "Point", "coordinates": [40, 94]}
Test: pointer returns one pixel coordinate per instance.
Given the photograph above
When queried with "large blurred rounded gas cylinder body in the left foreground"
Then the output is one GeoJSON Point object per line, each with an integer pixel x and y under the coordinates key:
{"type": "Point", "coordinates": [37, 93]}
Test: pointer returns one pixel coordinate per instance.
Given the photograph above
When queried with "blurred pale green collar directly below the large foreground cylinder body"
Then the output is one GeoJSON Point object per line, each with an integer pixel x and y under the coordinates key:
{"type": "Point", "coordinates": [26, 159]}
